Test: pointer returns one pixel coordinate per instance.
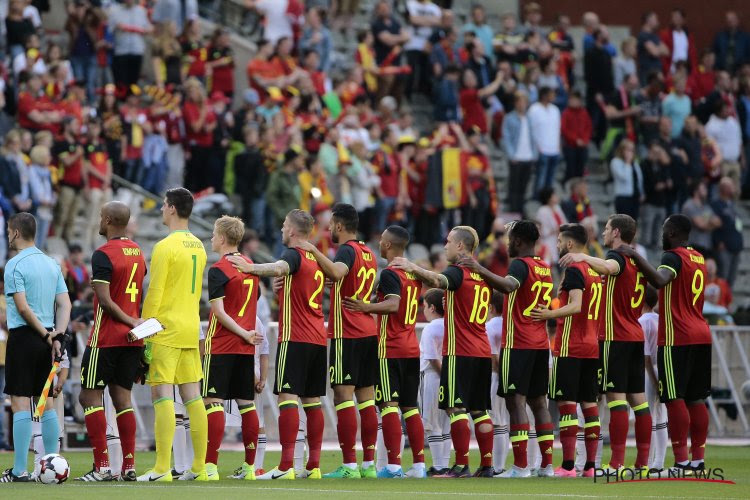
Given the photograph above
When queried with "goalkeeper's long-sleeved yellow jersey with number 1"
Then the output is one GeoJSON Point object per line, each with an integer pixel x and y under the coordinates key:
{"type": "Point", "coordinates": [174, 291]}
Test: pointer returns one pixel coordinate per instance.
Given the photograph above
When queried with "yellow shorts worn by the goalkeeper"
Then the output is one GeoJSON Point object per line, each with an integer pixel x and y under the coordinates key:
{"type": "Point", "coordinates": [174, 365]}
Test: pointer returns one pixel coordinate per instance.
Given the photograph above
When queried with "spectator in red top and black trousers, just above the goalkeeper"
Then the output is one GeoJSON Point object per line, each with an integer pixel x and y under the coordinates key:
{"type": "Point", "coordinates": [200, 123]}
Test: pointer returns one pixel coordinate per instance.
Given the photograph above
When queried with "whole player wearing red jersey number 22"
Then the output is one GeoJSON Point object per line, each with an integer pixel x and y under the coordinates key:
{"type": "Point", "coordinates": [353, 358]}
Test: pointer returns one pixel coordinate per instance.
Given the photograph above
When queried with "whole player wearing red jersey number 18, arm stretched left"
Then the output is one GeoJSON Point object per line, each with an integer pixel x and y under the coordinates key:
{"type": "Point", "coordinates": [466, 370]}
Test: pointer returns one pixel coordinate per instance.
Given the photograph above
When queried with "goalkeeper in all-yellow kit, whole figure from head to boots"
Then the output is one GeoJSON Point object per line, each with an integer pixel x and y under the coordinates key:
{"type": "Point", "coordinates": [177, 264]}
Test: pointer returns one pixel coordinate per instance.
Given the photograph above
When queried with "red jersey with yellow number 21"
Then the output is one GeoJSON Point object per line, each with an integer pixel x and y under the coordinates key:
{"type": "Point", "coordinates": [576, 335]}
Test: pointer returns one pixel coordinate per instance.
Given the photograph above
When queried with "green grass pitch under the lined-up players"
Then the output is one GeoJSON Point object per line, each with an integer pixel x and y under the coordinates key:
{"type": "Point", "coordinates": [735, 461]}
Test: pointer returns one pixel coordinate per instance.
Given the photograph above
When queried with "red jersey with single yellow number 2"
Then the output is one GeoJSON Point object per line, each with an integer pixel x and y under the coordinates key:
{"type": "Point", "coordinates": [301, 300]}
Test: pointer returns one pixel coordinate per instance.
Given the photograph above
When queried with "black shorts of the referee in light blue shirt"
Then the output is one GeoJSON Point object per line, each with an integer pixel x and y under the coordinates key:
{"type": "Point", "coordinates": [28, 361]}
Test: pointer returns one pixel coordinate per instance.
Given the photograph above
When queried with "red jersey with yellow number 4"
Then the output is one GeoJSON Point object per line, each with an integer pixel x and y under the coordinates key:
{"type": "Point", "coordinates": [120, 263]}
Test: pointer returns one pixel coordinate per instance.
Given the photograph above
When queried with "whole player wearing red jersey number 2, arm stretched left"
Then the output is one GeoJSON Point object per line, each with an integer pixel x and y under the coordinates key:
{"type": "Point", "coordinates": [301, 352]}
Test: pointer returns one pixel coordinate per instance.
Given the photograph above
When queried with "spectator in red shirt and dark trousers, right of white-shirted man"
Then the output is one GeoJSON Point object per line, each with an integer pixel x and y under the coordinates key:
{"type": "Point", "coordinates": [576, 129]}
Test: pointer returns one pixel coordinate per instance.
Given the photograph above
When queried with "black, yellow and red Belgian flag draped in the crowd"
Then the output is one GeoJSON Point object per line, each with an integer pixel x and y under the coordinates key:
{"type": "Point", "coordinates": [446, 179]}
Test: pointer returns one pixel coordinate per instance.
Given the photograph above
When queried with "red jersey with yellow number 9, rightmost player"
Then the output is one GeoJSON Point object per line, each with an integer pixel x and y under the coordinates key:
{"type": "Point", "coordinates": [681, 320]}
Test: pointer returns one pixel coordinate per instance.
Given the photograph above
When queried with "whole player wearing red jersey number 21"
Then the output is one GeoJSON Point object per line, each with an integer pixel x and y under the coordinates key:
{"type": "Point", "coordinates": [576, 352]}
